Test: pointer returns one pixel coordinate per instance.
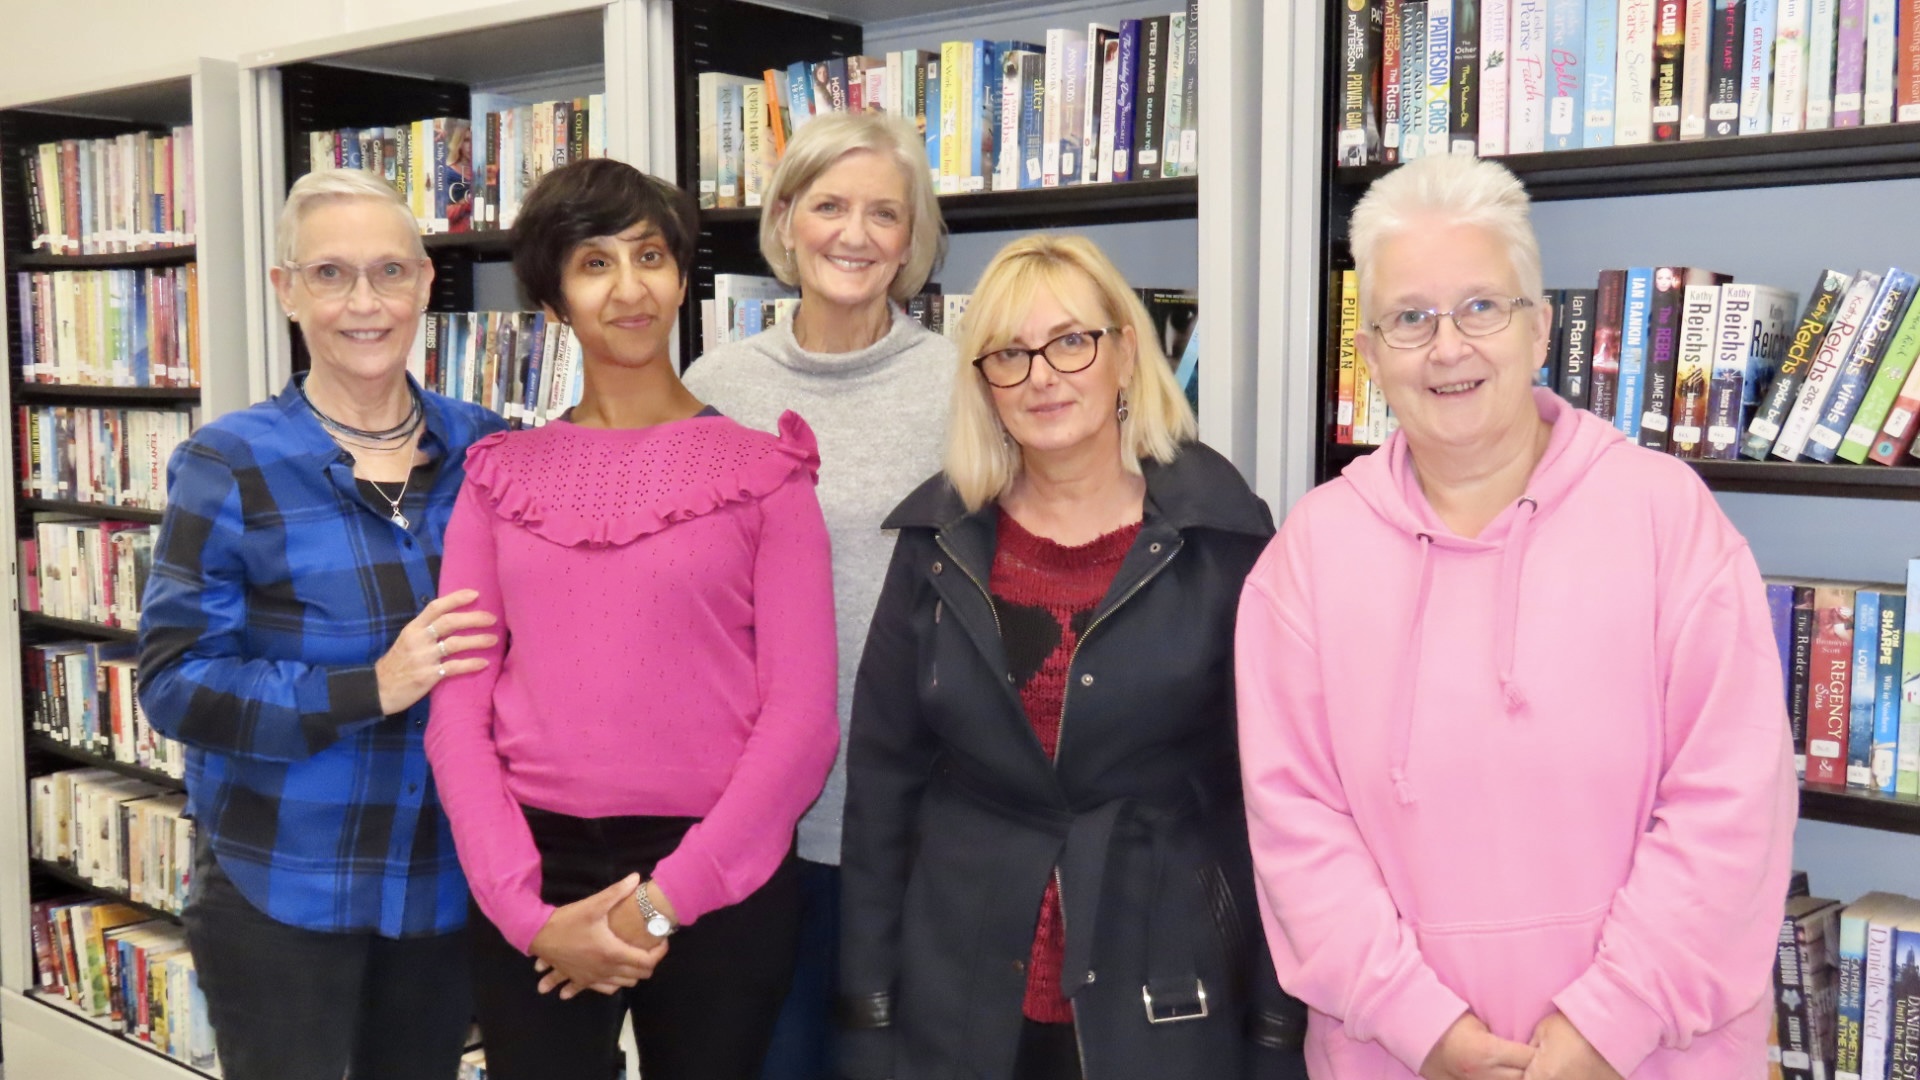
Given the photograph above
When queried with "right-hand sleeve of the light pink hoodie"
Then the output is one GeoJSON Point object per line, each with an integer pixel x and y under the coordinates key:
{"type": "Point", "coordinates": [1691, 937]}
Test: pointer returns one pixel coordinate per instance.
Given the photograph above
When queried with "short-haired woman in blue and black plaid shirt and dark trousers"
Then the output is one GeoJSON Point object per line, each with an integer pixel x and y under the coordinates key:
{"type": "Point", "coordinates": [289, 639]}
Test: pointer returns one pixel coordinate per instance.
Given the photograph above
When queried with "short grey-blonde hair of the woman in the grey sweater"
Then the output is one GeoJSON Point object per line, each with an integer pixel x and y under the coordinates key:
{"type": "Point", "coordinates": [825, 141]}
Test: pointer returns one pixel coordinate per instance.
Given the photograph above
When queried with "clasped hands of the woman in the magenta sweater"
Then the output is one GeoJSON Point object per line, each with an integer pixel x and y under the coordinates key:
{"type": "Point", "coordinates": [596, 945]}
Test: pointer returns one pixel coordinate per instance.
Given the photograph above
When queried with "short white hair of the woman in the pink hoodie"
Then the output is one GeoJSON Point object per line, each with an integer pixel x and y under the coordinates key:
{"type": "Point", "coordinates": [1456, 191]}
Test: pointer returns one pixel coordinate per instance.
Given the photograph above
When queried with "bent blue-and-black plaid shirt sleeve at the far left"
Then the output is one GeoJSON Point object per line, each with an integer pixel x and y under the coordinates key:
{"type": "Point", "coordinates": [197, 681]}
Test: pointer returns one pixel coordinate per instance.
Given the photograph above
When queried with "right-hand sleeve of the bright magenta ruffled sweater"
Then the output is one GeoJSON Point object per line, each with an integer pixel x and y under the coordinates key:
{"type": "Point", "coordinates": [742, 841]}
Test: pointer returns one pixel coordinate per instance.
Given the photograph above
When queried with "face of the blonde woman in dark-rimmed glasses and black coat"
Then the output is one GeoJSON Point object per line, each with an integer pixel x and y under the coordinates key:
{"type": "Point", "coordinates": [1051, 412]}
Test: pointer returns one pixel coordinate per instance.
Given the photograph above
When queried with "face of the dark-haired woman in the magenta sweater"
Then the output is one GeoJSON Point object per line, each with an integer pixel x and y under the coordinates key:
{"type": "Point", "coordinates": [623, 295]}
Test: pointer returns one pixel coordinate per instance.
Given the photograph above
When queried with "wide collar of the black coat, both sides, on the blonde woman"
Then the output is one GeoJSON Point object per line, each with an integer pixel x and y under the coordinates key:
{"type": "Point", "coordinates": [1195, 491]}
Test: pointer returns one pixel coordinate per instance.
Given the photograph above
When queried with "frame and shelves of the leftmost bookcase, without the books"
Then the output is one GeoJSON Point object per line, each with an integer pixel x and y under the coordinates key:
{"type": "Point", "coordinates": [43, 1037]}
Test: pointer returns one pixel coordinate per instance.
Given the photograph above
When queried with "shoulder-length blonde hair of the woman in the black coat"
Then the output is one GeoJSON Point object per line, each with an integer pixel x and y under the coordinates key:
{"type": "Point", "coordinates": [982, 462]}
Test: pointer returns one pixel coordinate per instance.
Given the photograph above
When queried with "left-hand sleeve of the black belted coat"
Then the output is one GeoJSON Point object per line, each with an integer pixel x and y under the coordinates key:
{"type": "Point", "coordinates": [890, 756]}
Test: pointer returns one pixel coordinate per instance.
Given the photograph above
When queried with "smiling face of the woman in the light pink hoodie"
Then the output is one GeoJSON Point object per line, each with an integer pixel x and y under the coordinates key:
{"type": "Point", "coordinates": [1454, 391]}
